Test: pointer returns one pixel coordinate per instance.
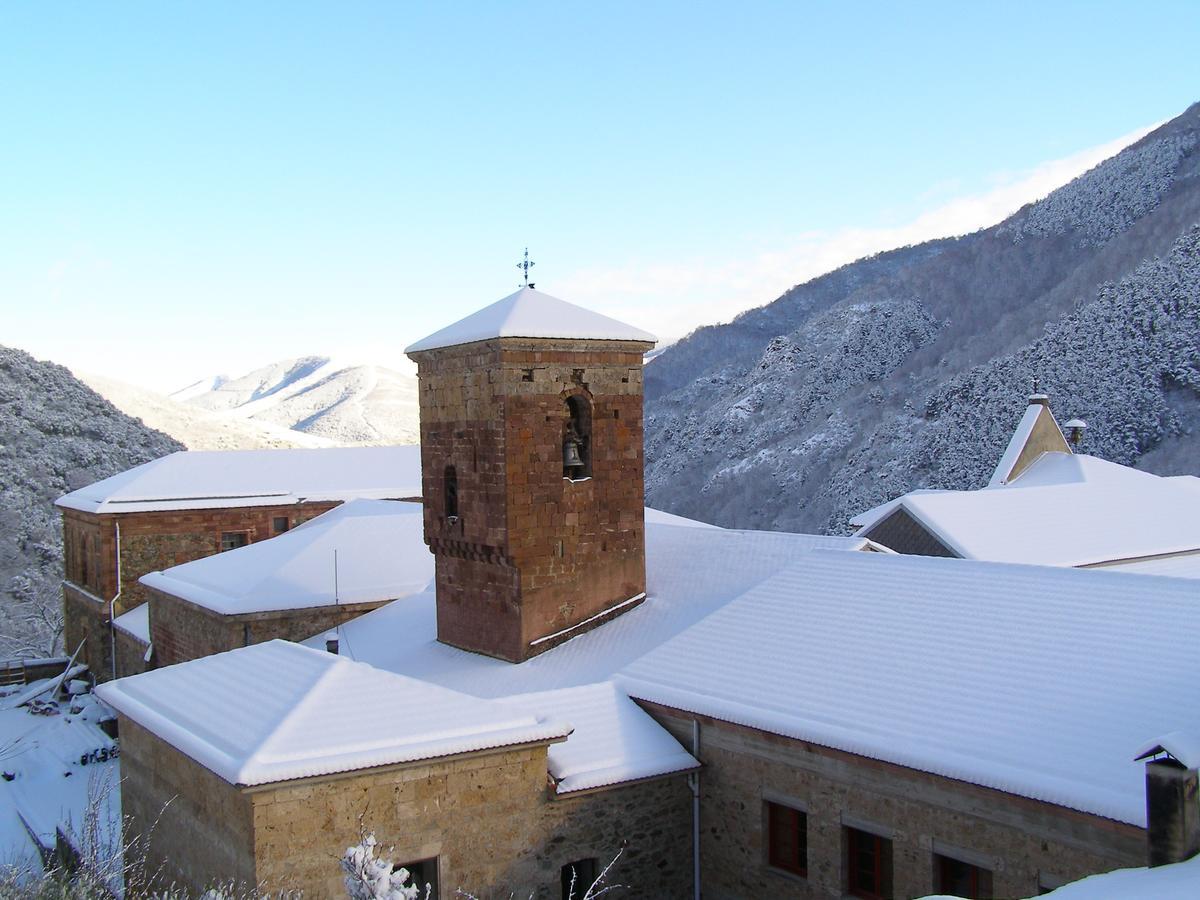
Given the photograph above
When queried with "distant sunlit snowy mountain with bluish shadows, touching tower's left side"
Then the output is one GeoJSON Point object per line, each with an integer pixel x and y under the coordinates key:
{"type": "Point", "coordinates": [319, 398]}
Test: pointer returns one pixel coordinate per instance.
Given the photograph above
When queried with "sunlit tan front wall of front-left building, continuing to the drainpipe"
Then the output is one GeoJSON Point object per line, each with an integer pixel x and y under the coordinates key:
{"type": "Point", "coordinates": [490, 821]}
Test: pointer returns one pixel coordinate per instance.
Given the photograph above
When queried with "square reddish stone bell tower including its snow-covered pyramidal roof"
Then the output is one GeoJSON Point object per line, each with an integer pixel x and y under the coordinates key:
{"type": "Point", "coordinates": [532, 473]}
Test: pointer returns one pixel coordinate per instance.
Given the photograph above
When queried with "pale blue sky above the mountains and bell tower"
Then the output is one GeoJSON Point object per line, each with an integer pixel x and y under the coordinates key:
{"type": "Point", "coordinates": [206, 188]}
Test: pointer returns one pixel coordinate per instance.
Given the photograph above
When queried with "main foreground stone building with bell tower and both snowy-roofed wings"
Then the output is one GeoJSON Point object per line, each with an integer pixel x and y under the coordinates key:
{"type": "Point", "coordinates": [781, 716]}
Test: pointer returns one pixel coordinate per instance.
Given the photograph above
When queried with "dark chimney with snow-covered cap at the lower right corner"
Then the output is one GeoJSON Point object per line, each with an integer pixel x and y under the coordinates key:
{"type": "Point", "coordinates": [1173, 807]}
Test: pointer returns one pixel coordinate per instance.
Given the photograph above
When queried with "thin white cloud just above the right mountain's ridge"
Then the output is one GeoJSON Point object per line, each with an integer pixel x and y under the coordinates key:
{"type": "Point", "coordinates": [675, 298]}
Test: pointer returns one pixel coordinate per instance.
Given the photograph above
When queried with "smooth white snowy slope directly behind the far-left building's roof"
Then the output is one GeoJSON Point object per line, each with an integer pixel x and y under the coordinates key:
{"type": "Point", "coordinates": [195, 428]}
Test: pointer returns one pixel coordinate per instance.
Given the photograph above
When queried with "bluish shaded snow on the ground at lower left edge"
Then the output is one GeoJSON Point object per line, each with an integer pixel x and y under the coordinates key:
{"type": "Point", "coordinates": [53, 765]}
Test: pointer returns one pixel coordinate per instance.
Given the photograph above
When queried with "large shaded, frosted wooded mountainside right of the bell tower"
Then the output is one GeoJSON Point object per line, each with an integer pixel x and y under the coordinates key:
{"type": "Point", "coordinates": [913, 368]}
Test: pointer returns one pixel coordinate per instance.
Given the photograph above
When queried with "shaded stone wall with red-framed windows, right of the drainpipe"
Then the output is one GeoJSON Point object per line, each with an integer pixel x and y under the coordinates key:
{"type": "Point", "coordinates": [1021, 841]}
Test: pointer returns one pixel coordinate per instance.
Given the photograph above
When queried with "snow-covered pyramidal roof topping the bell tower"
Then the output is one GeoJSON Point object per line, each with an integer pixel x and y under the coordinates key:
{"type": "Point", "coordinates": [531, 314]}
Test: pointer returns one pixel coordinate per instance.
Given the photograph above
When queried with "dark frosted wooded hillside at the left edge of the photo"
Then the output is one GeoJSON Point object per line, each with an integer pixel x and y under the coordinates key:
{"type": "Point", "coordinates": [56, 435]}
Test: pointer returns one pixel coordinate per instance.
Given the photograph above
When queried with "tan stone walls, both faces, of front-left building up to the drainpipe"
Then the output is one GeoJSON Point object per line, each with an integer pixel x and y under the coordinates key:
{"type": "Point", "coordinates": [490, 819]}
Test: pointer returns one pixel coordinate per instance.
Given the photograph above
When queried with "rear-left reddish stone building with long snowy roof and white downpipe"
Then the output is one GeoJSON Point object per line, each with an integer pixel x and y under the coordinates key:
{"type": "Point", "coordinates": [194, 505]}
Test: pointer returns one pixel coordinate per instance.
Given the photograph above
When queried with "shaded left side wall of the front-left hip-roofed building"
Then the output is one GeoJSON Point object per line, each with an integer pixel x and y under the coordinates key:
{"type": "Point", "coordinates": [199, 830]}
